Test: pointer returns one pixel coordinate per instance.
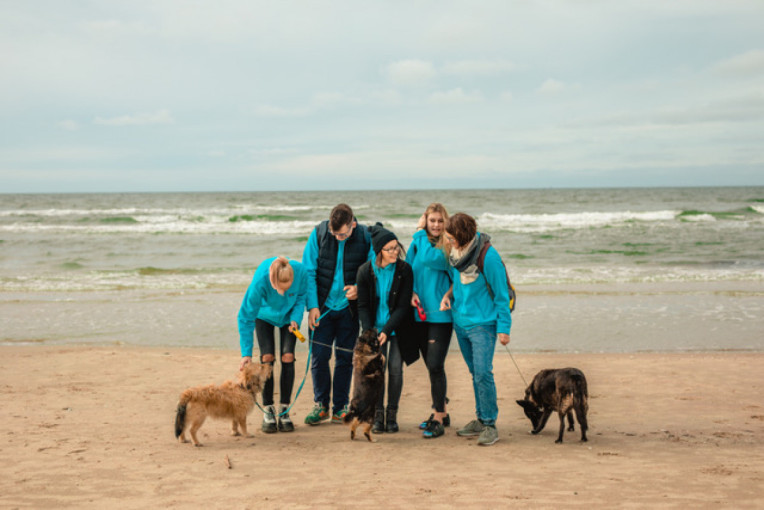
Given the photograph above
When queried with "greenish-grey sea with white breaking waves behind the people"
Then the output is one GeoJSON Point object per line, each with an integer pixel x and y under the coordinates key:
{"type": "Point", "coordinates": [66, 244]}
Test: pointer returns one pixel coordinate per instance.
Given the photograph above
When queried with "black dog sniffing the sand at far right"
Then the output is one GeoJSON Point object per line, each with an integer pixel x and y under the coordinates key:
{"type": "Point", "coordinates": [562, 390]}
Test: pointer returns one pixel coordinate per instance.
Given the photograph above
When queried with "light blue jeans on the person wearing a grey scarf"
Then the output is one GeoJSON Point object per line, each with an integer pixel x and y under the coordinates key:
{"type": "Point", "coordinates": [478, 345]}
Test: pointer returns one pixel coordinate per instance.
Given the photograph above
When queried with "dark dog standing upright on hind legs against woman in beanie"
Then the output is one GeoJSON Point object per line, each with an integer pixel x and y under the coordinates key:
{"type": "Point", "coordinates": [368, 382]}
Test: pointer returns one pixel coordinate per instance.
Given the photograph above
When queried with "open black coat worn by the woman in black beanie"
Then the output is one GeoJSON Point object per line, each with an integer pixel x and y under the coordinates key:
{"type": "Point", "coordinates": [398, 301]}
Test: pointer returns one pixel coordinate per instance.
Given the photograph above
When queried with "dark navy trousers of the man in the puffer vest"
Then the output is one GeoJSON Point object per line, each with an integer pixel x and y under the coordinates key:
{"type": "Point", "coordinates": [340, 330]}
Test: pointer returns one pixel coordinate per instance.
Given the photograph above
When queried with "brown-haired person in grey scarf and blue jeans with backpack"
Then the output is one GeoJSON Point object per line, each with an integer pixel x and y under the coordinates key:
{"type": "Point", "coordinates": [479, 302]}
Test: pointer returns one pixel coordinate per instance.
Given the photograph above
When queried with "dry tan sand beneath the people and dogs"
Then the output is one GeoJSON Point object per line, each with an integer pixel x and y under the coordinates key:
{"type": "Point", "coordinates": [92, 427]}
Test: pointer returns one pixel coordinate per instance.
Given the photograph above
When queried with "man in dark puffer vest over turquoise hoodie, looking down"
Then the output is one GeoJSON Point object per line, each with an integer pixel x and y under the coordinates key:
{"type": "Point", "coordinates": [335, 250]}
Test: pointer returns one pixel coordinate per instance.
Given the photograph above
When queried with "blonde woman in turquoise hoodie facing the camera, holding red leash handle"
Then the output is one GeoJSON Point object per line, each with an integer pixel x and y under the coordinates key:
{"type": "Point", "coordinates": [432, 280]}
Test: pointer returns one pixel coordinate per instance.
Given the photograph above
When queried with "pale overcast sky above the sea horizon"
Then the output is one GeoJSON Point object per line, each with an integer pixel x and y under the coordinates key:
{"type": "Point", "coordinates": [246, 95]}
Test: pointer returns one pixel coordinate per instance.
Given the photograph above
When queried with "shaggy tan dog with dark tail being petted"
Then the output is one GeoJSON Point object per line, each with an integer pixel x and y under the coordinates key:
{"type": "Point", "coordinates": [232, 399]}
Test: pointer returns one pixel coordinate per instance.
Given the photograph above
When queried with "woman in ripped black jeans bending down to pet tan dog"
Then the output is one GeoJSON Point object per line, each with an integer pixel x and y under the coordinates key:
{"type": "Point", "coordinates": [275, 299]}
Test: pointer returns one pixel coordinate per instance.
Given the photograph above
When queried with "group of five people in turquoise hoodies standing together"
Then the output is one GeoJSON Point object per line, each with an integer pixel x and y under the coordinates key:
{"type": "Point", "coordinates": [352, 276]}
